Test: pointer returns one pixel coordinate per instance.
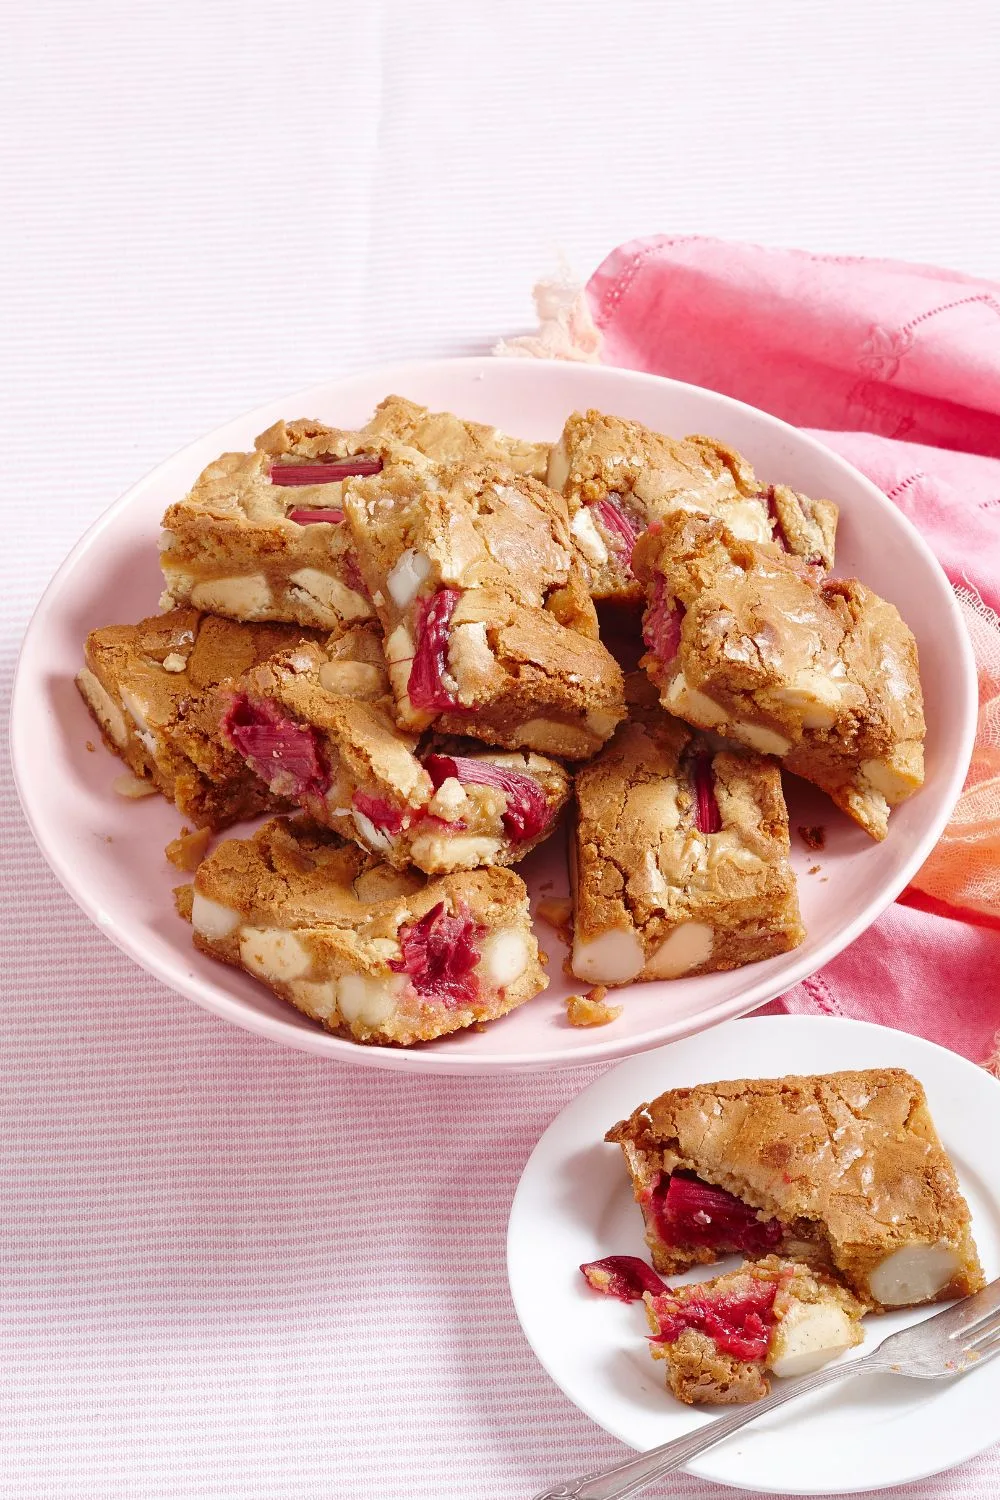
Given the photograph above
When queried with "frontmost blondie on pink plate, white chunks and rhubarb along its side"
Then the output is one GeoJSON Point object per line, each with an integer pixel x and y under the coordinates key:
{"type": "Point", "coordinates": [370, 952]}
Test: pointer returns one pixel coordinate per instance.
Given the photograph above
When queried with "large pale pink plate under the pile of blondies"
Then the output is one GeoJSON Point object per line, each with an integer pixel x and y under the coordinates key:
{"type": "Point", "coordinates": [109, 851]}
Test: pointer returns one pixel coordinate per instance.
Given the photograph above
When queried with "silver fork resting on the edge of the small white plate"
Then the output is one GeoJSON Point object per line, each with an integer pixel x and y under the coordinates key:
{"type": "Point", "coordinates": [960, 1339]}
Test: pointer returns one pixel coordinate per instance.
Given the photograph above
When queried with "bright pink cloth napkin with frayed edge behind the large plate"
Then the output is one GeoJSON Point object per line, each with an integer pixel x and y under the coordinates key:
{"type": "Point", "coordinates": [900, 367]}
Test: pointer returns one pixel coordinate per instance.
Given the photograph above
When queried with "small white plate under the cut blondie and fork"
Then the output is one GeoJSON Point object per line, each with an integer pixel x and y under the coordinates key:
{"type": "Point", "coordinates": [575, 1204]}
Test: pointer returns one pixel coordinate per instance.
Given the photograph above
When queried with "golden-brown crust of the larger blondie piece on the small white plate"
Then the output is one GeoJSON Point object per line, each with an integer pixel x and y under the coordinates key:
{"type": "Point", "coordinates": [849, 1163]}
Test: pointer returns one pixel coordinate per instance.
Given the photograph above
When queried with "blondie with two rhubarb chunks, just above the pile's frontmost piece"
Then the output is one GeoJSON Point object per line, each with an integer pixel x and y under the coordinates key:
{"type": "Point", "coordinates": [317, 725]}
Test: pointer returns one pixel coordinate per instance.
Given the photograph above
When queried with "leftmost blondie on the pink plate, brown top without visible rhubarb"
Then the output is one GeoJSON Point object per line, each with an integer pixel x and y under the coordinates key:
{"type": "Point", "coordinates": [151, 689]}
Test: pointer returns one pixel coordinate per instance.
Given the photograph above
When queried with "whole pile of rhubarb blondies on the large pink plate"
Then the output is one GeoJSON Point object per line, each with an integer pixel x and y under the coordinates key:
{"type": "Point", "coordinates": [394, 634]}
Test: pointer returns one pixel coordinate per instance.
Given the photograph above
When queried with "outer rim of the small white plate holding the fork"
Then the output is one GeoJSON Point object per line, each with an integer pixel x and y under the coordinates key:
{"type": "Point", "coordinates": [539, 1171]}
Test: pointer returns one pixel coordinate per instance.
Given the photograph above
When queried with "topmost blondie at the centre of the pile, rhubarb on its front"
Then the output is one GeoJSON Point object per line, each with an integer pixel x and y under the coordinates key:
{"type": "Point", "coordinates": [490, 631]}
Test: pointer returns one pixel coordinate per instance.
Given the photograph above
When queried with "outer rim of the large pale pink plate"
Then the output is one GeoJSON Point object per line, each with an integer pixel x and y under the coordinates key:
{"type": "Point", "coordinates": [605, 1049]}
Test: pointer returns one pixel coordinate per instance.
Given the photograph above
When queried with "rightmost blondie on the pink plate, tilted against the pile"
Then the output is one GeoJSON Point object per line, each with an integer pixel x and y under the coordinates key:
{"type": "Point", "coordinates": [761, 649]}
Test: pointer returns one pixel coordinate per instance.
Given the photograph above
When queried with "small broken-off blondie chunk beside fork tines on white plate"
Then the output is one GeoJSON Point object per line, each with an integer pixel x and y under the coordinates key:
{"type": "Point", "coordinates": [723, 1339]}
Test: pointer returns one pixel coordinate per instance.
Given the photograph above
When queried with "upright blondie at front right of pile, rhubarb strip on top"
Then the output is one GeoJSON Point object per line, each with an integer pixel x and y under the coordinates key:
{"type": "Point", "coordinates": [680, 859]}
